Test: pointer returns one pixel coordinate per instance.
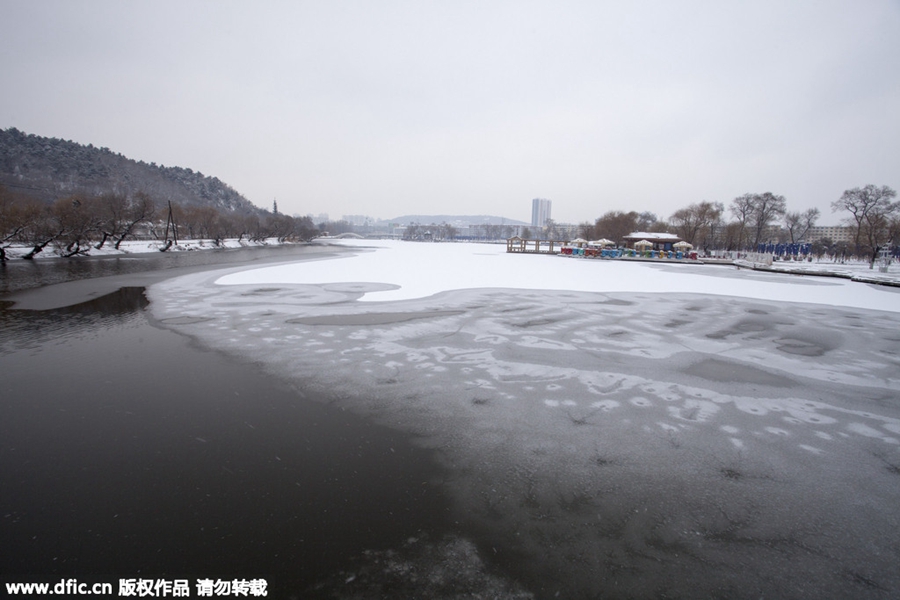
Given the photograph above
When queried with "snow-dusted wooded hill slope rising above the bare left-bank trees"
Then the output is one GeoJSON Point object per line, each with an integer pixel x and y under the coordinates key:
{"type": "Point", "coordinates": [51, 168]}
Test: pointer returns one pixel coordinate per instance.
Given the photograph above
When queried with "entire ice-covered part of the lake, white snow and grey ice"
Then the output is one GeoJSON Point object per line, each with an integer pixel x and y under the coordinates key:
{"type": "Point", "coordinates": [624, 429]}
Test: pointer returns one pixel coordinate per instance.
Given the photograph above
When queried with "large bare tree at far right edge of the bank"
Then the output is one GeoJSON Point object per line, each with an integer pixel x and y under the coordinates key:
{"type": "Point", "coordinates": [872, 212]}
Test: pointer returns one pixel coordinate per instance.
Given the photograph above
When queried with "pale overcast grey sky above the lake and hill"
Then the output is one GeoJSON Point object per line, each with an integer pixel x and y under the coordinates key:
{"type": "Point", "coordinates": [387, 108]}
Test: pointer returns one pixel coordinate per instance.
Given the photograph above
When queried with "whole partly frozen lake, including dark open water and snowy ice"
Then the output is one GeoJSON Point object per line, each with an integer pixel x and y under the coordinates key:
{"type": "Point", "coordinates": [434, 419]}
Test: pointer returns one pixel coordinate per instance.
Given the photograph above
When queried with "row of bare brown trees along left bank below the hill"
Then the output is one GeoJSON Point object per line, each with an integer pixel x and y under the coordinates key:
{"type": "Point", "coordinates": [74, 224]}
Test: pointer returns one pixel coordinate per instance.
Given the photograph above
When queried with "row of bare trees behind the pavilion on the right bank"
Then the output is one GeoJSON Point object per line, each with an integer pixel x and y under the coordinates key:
{"type": "Point", "coordinates": [761, 218]}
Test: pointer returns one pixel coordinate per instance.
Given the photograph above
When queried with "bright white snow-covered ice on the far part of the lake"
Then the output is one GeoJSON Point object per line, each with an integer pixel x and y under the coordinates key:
{"type": "Point", "coordinates": [419, 270]}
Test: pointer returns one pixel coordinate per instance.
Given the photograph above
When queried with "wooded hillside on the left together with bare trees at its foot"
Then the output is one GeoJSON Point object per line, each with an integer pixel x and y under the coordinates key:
{"type": "Point", "coordinates": [75, 199]}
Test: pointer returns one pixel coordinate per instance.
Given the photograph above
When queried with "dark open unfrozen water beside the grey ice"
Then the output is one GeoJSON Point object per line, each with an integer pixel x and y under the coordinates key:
{"type": "Point", "coordinates": [127, 452]}
